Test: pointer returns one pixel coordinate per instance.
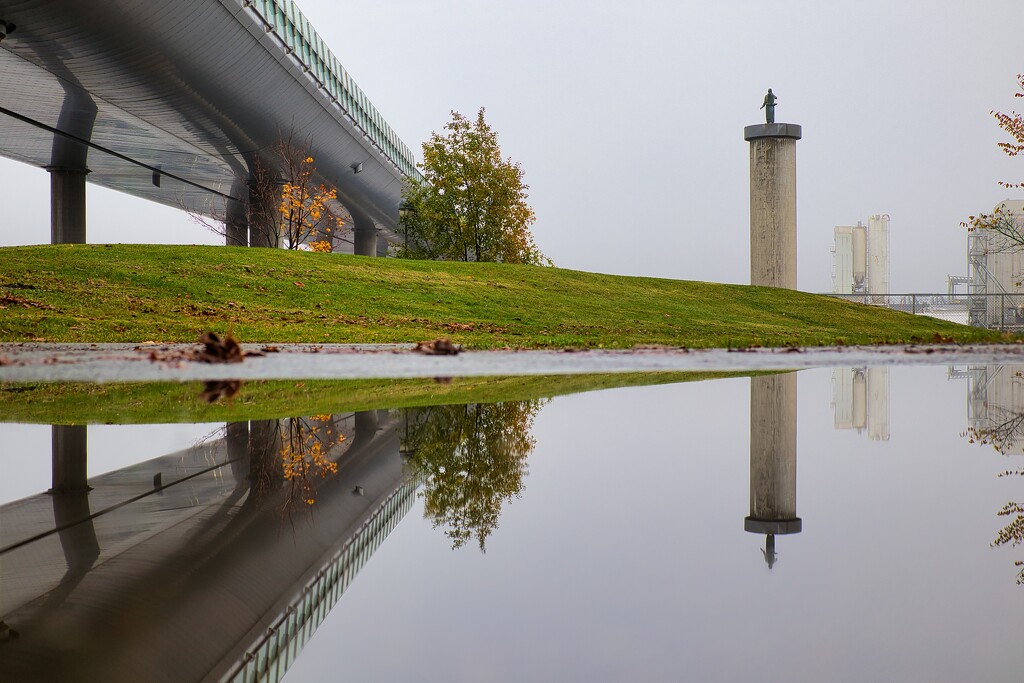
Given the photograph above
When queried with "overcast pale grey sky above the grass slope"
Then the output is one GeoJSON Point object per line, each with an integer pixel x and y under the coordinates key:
{"type": "Point", "coordinates": [628, 120]}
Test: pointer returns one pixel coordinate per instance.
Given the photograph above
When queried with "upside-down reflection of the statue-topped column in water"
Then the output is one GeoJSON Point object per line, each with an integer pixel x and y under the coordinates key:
{"type": "Point", "coordinates": [774, 460]}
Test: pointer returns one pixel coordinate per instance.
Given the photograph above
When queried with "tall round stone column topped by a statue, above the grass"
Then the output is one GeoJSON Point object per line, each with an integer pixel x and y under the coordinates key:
{"type": "Point", "coordinates": [774, 199]}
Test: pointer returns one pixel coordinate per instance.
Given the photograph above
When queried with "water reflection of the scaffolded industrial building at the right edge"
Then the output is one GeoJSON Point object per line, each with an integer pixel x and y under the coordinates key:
{"type": "Point", "coordinates": [996, 404]}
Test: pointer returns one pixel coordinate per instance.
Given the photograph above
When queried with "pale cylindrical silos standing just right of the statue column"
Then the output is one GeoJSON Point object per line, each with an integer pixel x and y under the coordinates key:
{"type": "Point", "coordinates": [861, 259]}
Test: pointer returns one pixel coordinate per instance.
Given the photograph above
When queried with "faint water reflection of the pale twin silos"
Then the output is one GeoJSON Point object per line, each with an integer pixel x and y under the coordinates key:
{"type": "Point", "coordinates": [861, 400]}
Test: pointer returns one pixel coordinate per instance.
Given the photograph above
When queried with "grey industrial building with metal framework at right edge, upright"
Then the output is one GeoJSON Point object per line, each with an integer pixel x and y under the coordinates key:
{"type": "Point", "coordinates": [996, 270]}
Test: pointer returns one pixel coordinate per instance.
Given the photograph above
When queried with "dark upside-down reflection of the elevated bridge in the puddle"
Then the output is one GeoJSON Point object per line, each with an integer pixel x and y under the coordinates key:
{"type": "Point", "coordinates": [191, 567]}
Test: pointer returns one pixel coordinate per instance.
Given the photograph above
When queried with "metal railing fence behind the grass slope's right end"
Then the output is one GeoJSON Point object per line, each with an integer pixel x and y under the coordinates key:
{"type": "Point", "coordinates": [994, 311]}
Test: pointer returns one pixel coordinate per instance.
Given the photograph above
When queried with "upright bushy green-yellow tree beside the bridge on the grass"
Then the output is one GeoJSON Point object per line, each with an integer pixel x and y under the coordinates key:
{"type": "Point", "coordinates": [472, 204]}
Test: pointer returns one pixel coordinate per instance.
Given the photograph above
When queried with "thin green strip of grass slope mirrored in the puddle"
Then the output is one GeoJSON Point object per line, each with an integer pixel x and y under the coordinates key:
{"type": "Point", "coordinates": [172, 403]}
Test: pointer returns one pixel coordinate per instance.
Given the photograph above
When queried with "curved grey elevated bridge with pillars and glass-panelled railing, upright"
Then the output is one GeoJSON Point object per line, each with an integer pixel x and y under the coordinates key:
{"type": "Point", "coordinates": [179, 102]}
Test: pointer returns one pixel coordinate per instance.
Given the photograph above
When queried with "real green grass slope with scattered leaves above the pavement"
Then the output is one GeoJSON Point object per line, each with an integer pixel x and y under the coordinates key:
{"type": "Point", "coordinates": [121, 293]}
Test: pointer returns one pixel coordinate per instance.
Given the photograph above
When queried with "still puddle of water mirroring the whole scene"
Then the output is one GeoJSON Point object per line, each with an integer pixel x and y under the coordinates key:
{"type": "Point", "coordinates": [830, 525]}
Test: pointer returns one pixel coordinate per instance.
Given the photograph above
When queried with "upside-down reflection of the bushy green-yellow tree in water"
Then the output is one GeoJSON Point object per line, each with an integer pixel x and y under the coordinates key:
{"type": "Point", "coordinates": [473, 459]}
